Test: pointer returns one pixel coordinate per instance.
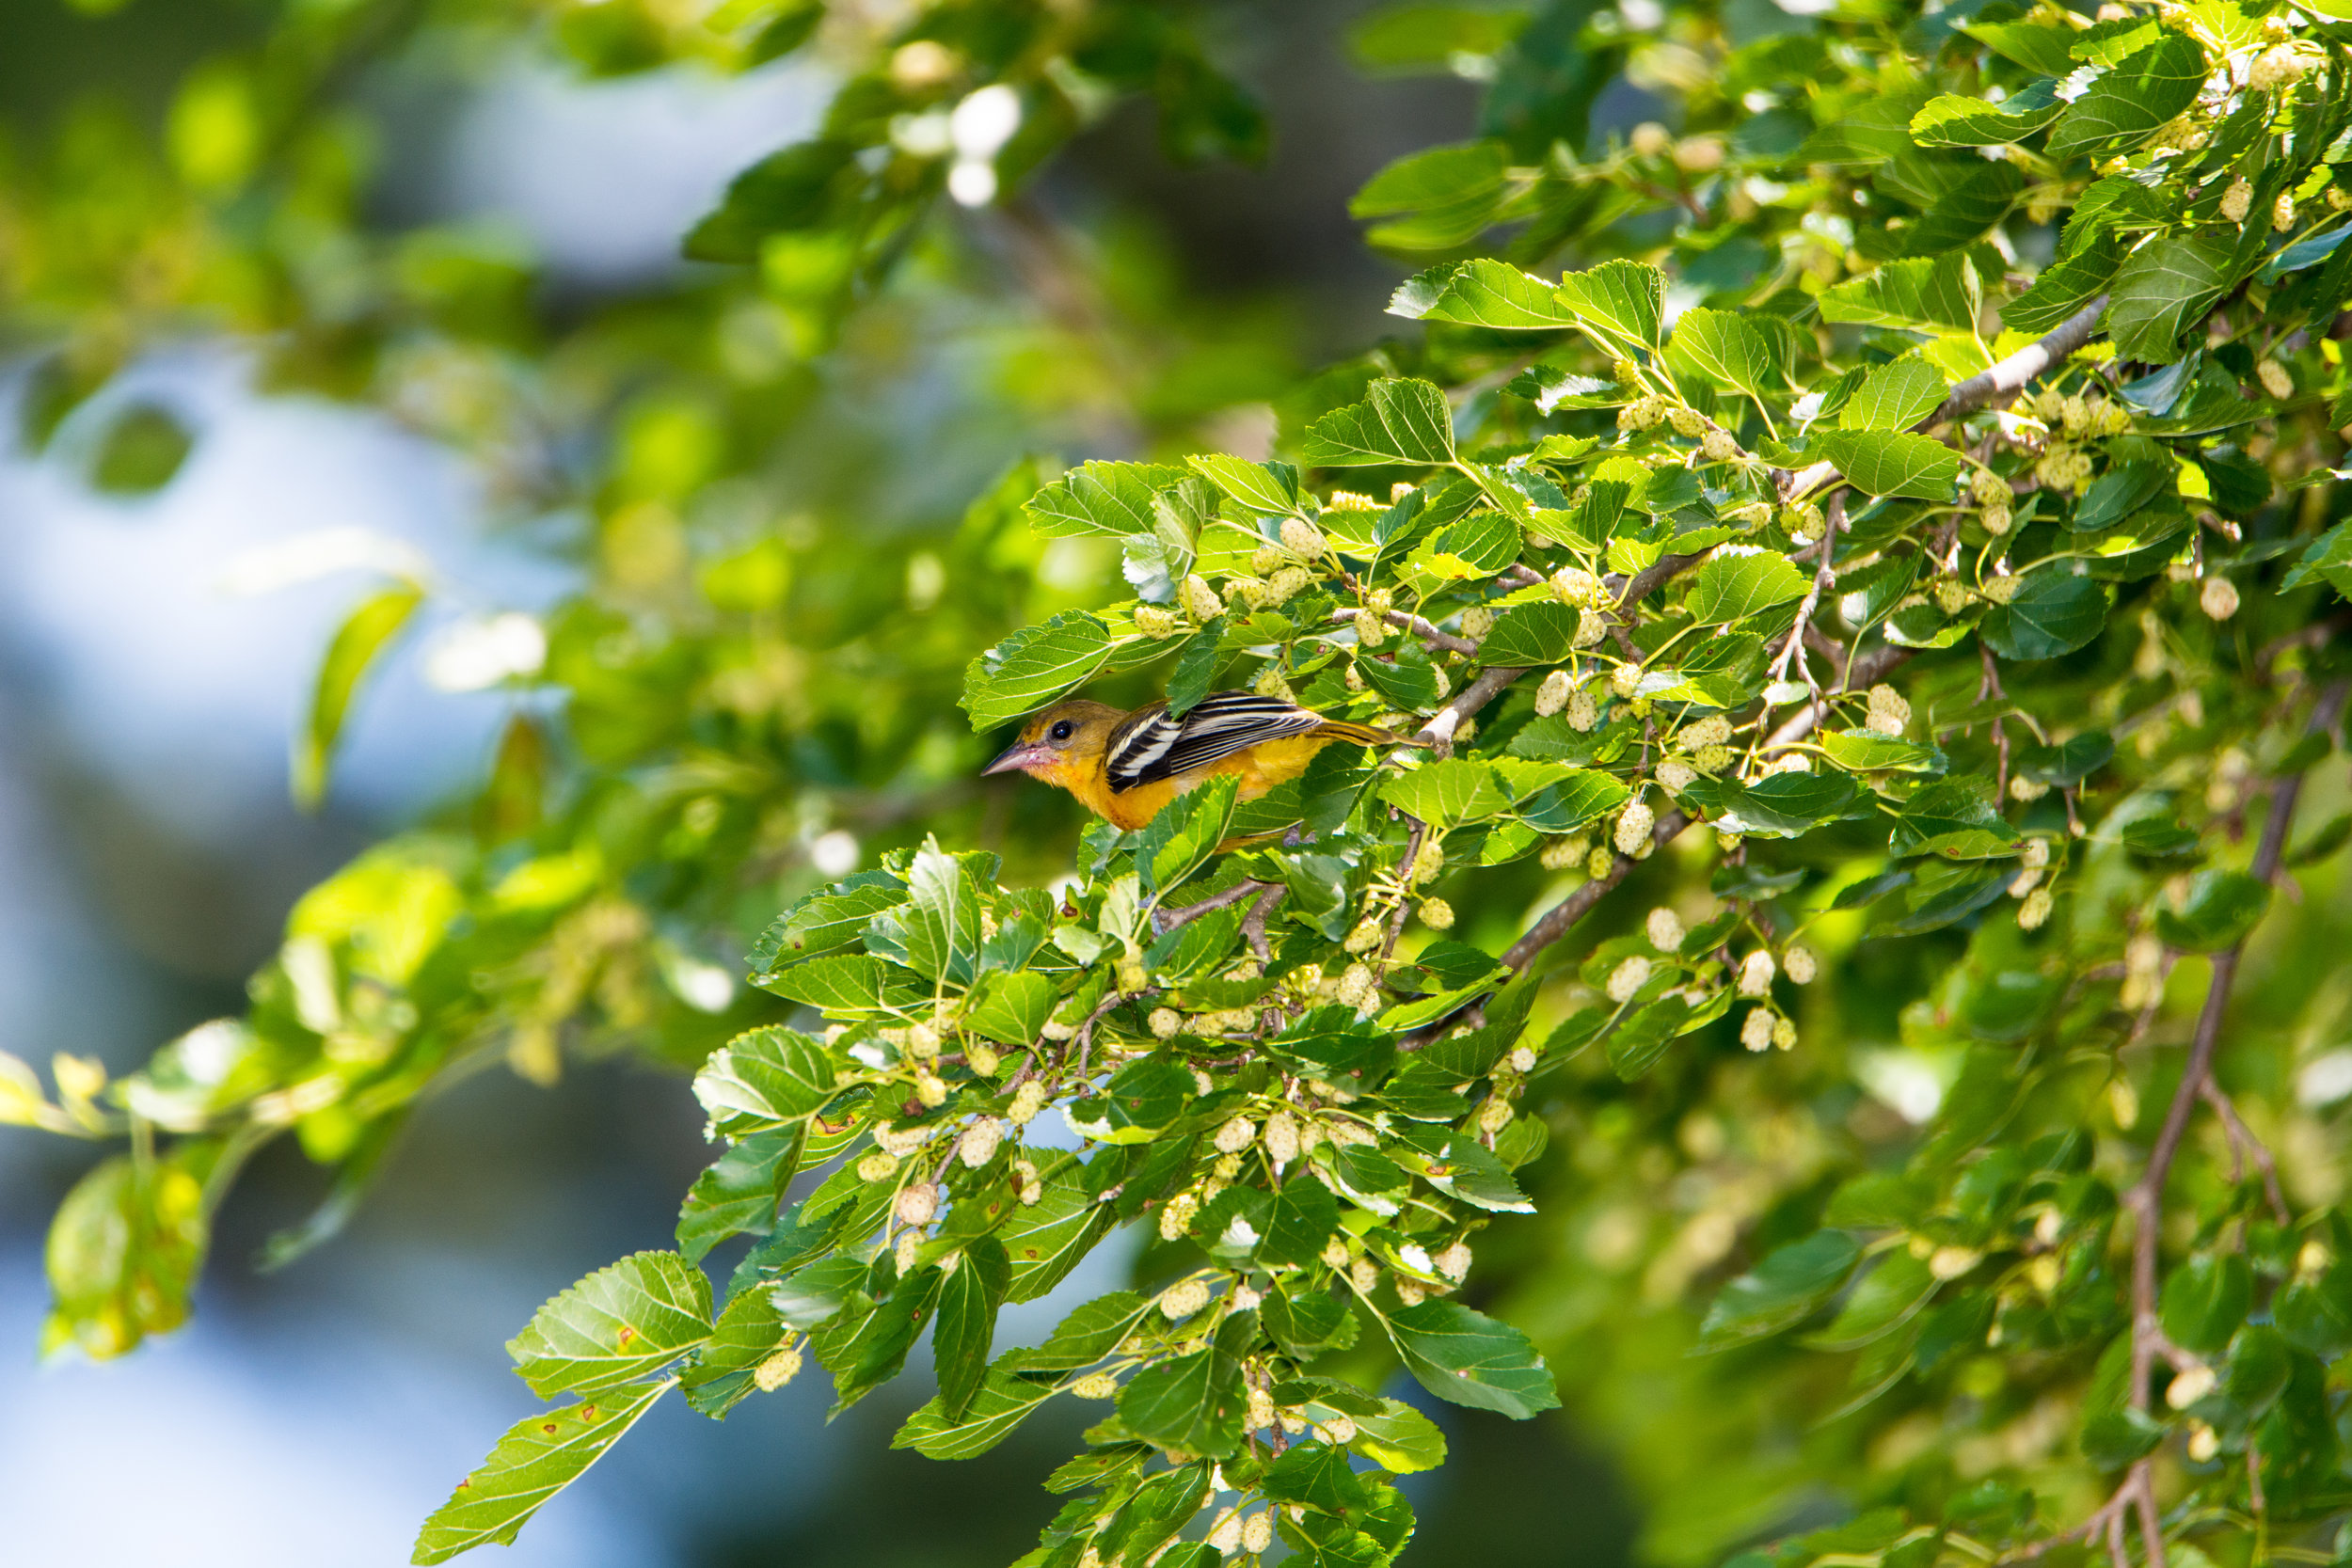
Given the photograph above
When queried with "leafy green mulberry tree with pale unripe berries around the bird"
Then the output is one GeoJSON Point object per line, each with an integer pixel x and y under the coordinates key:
{"type": "Point", "coordinates": [1859, 575]}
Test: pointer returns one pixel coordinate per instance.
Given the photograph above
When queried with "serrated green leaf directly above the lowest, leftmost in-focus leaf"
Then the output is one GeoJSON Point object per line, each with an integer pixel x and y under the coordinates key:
{"type": "Point", "coordinates": [615, 1327]}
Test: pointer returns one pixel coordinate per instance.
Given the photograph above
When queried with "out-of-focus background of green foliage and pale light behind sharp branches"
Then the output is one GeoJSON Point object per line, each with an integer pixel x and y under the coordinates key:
{"type": "Point", "coordinates": [361, 326]}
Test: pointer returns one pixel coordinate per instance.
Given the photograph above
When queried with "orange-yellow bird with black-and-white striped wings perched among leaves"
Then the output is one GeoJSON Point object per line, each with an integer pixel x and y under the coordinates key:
{"type": "Point", "coordinates": [1128, 765]}
